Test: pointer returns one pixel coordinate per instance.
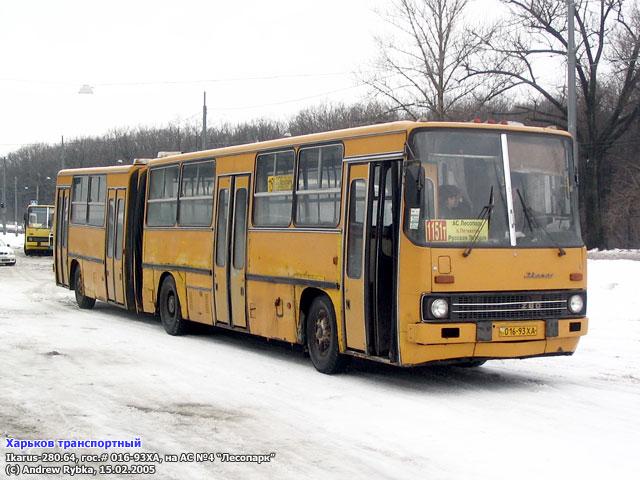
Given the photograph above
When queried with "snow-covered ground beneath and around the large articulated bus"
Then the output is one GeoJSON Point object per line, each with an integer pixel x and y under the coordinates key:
{"type": "Point", "coordinates": [107, 374]}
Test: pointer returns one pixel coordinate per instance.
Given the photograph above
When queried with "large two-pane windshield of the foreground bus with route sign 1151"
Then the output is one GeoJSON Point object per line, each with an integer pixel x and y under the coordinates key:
{"type": "Point", "coordinates": [457, 190]}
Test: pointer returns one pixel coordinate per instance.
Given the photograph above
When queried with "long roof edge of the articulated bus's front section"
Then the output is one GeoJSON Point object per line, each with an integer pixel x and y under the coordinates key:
{"type": "Point", "coordinates": [377, 129]}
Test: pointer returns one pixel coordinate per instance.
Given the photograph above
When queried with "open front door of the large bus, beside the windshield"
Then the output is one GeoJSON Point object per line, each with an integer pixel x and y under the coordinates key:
{"type": "Point", "coordinates": [370, 266]}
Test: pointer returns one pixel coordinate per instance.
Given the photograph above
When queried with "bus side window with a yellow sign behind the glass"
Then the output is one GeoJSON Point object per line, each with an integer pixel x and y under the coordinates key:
{"type": "Point", "coordinates": [274, 189]}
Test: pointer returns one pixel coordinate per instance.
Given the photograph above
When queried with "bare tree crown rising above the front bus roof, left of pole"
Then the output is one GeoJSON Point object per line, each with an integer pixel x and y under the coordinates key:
{"type": "Point", "coordinates": [422, 68]}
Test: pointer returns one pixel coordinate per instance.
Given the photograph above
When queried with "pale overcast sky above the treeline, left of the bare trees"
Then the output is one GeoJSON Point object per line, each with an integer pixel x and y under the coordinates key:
{"type": "Point", "coordinates": [148, 62]}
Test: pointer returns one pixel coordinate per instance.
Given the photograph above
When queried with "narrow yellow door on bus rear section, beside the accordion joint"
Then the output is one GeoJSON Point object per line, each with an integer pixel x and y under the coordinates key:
{"type": "Point", "coordinates": [115, 245]}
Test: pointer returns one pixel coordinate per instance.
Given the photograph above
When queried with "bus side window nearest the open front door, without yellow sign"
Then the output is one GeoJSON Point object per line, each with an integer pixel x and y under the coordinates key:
{"type": "Point", "coordinates": [319, 184]}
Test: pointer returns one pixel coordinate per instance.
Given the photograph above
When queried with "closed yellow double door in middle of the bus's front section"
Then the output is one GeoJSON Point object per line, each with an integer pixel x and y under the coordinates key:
{"type": "Point", "coordinates": [230, 251]}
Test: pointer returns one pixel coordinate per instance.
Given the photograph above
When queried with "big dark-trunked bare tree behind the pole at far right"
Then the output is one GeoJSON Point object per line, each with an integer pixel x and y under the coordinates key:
{"type": "Point", "coordinates": [608, 75]}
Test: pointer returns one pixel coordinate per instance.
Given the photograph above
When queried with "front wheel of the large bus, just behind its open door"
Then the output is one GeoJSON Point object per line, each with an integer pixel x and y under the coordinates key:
{"type": "Point", "coordinates": [322, 337]}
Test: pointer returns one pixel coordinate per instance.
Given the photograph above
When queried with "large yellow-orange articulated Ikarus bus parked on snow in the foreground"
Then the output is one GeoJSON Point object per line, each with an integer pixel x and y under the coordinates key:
{"type": "Point", "coordinates": [405, 243]}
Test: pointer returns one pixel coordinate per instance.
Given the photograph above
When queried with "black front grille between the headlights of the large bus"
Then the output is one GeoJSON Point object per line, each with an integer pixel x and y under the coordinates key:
{"type": "Point", "coordinates": [526, 306]}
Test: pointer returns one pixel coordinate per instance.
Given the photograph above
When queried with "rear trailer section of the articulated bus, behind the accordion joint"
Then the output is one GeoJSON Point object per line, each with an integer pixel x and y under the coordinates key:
{"type": "Point", "coordinates": [96, 227]}
